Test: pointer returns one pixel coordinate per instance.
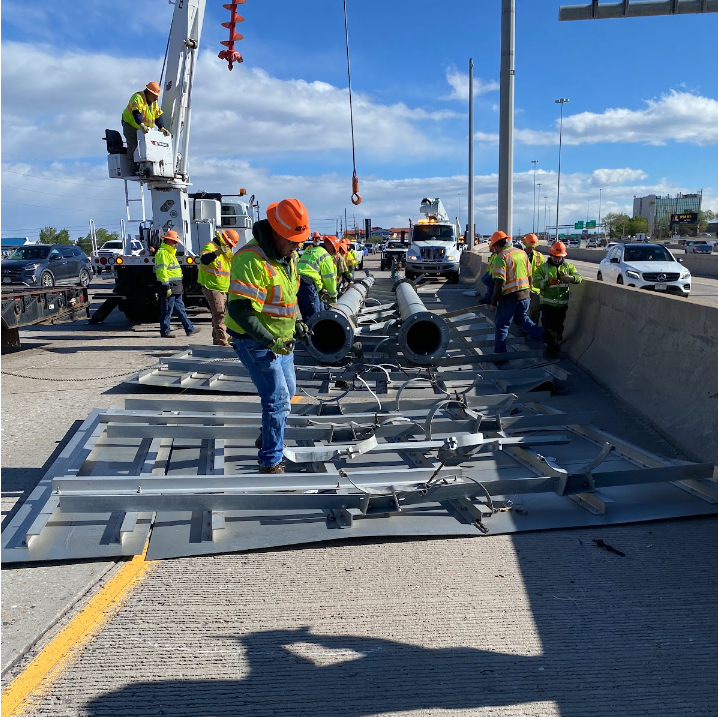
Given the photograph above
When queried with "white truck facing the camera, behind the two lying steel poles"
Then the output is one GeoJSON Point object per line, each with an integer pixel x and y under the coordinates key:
{"type": "Point", "coordinates": [434, 244]}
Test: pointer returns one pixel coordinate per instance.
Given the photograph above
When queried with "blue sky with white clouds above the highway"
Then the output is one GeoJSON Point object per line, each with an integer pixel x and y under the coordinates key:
{"type": "Point", "coordinates": [642, 116]}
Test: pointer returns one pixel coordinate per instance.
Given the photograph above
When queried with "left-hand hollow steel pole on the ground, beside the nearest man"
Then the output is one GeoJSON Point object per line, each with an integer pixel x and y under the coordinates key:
{"type": "Point", "coordinates": [333, 330]}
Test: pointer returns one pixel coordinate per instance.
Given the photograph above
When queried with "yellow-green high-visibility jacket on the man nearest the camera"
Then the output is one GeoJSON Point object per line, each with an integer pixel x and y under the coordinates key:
{"type": "Point", "coordinates": [269, 285]}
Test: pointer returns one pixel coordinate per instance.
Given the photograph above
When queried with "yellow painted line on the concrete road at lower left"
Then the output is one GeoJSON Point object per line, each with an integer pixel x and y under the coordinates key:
{"type": "Point", "coordinates": [66, 646]}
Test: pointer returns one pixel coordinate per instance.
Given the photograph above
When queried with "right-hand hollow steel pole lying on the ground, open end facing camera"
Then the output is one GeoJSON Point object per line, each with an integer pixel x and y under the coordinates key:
{"type": "Point", "coordinates": [423, 336]}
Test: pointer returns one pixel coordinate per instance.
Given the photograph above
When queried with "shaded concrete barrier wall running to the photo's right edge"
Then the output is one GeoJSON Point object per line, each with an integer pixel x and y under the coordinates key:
{"type": "Point", "coordinates": [656, 354]}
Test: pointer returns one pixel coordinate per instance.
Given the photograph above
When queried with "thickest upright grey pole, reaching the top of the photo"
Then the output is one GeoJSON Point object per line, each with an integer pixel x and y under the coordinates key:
{"type": "Point", "coordinates": [506, 117]}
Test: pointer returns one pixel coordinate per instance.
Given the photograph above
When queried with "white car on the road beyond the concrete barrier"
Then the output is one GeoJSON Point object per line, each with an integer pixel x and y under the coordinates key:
{"type": "Point", "coordinates": [645, 266]}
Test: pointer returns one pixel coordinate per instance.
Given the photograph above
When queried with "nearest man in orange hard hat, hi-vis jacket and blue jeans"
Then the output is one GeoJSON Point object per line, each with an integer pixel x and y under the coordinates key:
{"type": "Point", "coordinates": [262, 318]}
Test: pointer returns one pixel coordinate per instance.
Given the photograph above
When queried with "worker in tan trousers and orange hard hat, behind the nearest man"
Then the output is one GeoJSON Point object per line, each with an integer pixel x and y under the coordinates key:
{"type": "Point", "coordinates": [215, 263]}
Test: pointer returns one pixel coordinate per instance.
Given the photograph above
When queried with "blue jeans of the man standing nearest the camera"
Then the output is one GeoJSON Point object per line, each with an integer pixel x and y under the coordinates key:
{"type": "Point", "coordinates": [276, 384]}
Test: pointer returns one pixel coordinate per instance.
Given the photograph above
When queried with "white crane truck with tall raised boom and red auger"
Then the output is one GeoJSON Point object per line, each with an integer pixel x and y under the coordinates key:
{"type": "Point", "coordinates": [160, 164]}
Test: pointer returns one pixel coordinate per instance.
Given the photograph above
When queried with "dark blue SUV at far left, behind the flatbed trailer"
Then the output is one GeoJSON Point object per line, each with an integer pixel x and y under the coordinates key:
{"type": "Point", "coordinates": [47, 265]}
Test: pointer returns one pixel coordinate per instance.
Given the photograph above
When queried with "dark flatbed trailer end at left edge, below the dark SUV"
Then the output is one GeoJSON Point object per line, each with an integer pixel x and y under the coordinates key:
{"type": "Point", "coordinates": [22, 306]}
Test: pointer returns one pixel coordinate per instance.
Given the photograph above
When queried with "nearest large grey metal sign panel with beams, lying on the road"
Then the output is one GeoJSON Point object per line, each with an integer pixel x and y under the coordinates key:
{"type": "Point", "coordinates": [185, 478]}
